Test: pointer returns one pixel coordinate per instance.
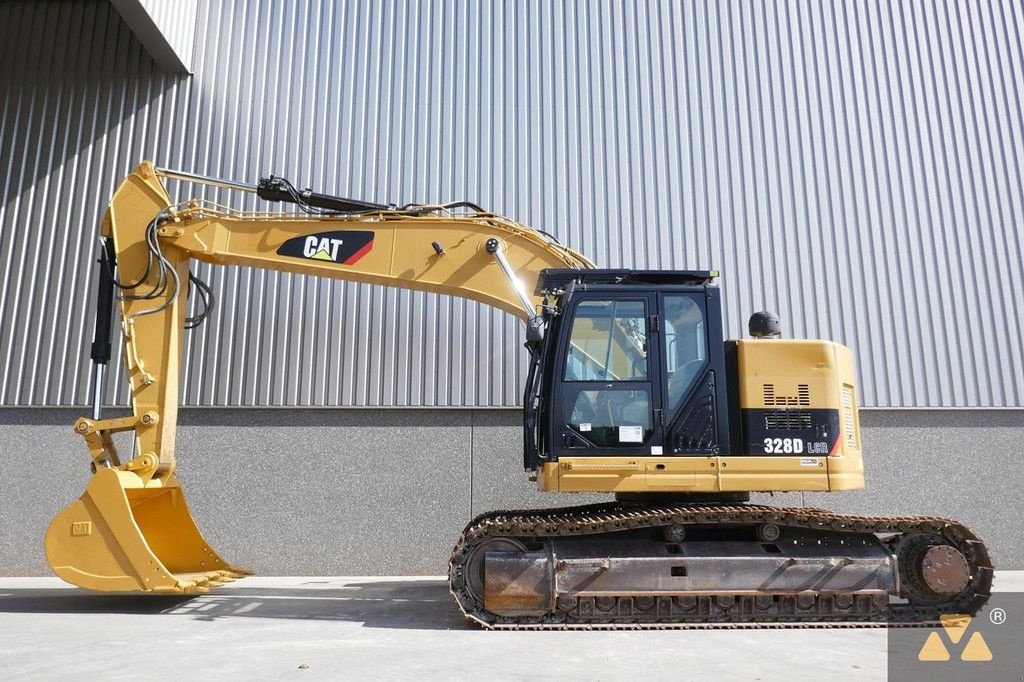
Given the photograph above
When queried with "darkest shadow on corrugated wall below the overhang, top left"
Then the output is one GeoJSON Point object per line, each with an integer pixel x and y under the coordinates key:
{"type": "Point", "coordinates": [93, 83]}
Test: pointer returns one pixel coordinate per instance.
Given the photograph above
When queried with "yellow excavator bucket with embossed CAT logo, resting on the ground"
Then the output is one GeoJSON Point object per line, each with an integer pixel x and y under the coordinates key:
{"type": "Point", "coordinates": [124, 535]}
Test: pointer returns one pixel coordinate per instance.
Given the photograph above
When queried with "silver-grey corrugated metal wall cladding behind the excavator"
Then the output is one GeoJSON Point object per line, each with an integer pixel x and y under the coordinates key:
{"type": "Point", "coordinates": [857, 167]}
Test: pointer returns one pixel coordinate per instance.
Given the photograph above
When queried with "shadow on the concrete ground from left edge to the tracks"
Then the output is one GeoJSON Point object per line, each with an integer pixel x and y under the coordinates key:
{"type": "Point", "coordinates": [423, 605]}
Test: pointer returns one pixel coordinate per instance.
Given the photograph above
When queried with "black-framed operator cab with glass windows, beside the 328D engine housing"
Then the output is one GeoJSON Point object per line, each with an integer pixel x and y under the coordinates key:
{"type": "Point", "coordinates": [634, 365]}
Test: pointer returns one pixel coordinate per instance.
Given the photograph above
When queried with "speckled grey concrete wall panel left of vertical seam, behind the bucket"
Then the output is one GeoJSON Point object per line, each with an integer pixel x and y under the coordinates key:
{"type": "Point", "coordinates": [300, 493]}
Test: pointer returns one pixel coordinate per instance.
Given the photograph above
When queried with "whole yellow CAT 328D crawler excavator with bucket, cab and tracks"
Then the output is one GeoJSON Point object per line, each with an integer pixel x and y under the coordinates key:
{"type": "Point", "coordinates": [632, 392]}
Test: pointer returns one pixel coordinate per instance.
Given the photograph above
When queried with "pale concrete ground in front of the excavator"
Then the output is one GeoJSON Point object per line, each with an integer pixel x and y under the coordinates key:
{"type": "Point", "coordinates": [383, 628]}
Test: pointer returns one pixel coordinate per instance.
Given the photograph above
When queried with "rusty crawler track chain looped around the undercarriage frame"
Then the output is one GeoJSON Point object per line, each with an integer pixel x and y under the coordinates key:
{"type": "Point", "coordinates": [916, 607]}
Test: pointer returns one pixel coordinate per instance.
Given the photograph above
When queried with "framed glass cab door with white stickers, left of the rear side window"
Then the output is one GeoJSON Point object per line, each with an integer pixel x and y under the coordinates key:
{"type": "Point", "coordinates": [608, 399]}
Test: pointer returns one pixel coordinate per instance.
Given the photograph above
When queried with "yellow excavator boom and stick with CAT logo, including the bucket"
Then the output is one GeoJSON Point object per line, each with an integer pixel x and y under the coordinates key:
{"type": "Point", "coordinates": [132, 530]}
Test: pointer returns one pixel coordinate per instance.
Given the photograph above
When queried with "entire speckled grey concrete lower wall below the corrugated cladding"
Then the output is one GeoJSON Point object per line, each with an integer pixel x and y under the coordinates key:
{"type": "Point", "coordinates": [388, 492]}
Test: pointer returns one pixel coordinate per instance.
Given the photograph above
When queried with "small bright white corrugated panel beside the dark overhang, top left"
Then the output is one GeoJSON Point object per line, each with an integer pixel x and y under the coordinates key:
{"type": "Point", "coordinates": [165, 28]}
